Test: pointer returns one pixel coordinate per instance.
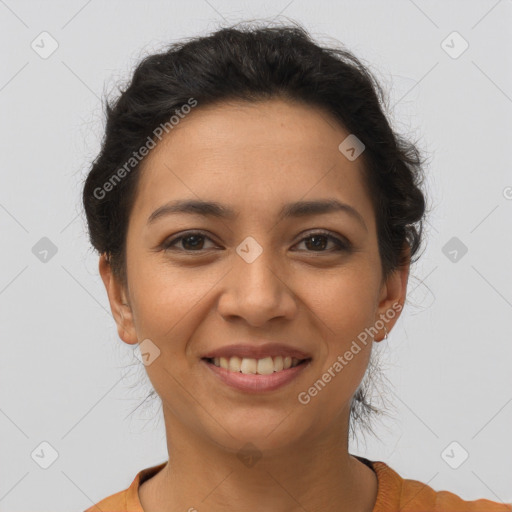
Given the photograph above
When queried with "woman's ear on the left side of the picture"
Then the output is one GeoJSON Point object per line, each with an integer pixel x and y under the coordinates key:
{"type": "Point", "coordinates": [119, 303]}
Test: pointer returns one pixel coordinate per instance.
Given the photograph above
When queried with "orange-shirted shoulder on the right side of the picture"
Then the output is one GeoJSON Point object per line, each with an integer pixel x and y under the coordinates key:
{"type": "Point", "coordinates": [407, 495]}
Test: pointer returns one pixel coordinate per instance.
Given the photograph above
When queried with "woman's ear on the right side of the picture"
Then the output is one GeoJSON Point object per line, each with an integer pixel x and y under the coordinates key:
{"type": "Point", "coordinates": [393, 294]}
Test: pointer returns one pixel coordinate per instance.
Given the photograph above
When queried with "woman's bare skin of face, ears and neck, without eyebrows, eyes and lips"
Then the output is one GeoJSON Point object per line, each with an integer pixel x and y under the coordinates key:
{"type": "Point", "coordinates": [254, 157]}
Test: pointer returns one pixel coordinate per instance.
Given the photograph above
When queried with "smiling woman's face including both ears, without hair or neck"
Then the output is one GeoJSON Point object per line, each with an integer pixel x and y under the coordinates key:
{"type": "Point", "coordinates": [254, 277]}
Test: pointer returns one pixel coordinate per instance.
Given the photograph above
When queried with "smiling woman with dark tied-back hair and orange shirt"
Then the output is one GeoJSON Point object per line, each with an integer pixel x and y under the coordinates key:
{"type": "Point", "coordinates": [256, 219]}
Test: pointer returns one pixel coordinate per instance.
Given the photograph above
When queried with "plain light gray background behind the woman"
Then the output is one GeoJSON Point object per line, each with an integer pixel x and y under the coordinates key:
{"type": "Point", "coordinates": [65, 377]}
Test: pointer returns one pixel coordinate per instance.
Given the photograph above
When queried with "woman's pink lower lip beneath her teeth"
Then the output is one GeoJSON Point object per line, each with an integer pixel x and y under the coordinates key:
{"type": "Point", "coordinates": [255, 382]}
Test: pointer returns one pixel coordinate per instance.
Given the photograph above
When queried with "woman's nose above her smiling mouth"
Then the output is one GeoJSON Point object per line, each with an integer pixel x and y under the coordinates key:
{"type": "Point", "coordinates": [257, 292]}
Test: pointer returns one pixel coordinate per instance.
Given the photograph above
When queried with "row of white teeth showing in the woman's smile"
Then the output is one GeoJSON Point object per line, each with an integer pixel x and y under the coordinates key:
{"type": "Point", "coordinates": [264, 366]}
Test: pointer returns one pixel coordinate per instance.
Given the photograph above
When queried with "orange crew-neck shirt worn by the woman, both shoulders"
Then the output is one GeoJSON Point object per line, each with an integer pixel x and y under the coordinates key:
{"type": "Point", "coordinates": [394, 494]}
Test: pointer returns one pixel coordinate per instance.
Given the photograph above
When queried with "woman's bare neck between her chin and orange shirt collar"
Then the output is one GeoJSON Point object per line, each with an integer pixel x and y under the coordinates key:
{"type": "Point", "coordinates": [313, 474]}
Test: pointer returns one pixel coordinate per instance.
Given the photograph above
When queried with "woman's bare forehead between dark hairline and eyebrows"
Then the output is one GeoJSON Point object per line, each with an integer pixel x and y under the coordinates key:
{"type": "Point", "coordinates": [252, 156]}
